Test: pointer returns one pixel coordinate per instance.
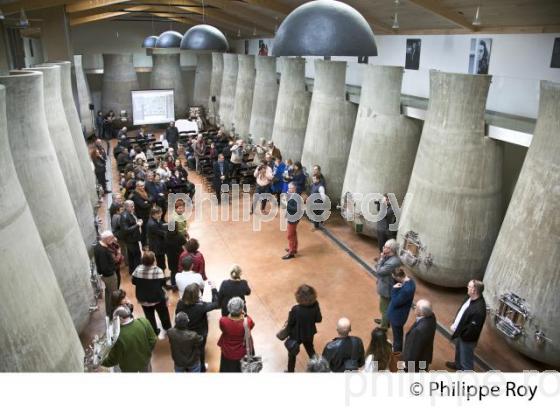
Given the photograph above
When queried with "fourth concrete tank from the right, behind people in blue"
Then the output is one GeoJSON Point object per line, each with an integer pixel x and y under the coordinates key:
{"type": "Point", "coordinates": [330, 126]}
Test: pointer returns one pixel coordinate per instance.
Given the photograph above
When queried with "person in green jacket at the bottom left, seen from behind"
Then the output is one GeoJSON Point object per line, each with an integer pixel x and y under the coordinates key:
{"type": "Point", "coordinates": [132, 351]}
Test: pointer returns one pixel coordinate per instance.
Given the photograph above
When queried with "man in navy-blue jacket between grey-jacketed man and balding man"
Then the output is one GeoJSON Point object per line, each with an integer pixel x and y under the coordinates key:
{"type": "Point", "coordinates": [402, 296]}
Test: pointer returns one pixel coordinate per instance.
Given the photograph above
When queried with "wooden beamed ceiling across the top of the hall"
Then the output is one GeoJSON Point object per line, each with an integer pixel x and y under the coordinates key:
{"type": "Point", "coordinates": [259, 18]}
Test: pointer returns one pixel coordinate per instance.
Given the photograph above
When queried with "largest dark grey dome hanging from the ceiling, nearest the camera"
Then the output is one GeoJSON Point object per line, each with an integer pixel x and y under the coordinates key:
{"type": "Point", "coordinates": [324, 28]}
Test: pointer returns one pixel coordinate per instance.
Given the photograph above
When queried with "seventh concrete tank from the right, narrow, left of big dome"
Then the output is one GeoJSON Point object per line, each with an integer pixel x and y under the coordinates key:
{"type": "Point", "coordinates": [244, 90]}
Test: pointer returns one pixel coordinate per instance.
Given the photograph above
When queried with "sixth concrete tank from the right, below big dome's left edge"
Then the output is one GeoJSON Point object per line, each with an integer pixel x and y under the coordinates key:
{"type": "Point", "coordinates": [264, 99]}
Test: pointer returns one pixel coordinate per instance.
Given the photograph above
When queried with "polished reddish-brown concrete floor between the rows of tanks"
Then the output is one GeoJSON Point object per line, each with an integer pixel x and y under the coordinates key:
{"type": "Point", "coordinates": [344, 287]}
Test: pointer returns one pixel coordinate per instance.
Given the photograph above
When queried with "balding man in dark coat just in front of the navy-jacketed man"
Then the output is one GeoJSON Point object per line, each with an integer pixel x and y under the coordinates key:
{"type": "Point", "coordinates": [419, 343]}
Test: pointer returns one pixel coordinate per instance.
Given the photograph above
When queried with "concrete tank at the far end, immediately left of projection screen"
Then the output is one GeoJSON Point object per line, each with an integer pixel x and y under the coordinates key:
{"type": "Point", "coordinates": [119, 79]}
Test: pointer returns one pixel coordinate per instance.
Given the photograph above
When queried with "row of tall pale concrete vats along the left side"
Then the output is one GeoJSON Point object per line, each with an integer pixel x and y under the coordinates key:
{"type": "Point", "coordinates": [46, 222]}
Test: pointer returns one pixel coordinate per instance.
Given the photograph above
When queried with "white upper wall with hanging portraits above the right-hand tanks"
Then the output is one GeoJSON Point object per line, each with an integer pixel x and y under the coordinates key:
{"type": "Point", "coordinates": [517, 63]}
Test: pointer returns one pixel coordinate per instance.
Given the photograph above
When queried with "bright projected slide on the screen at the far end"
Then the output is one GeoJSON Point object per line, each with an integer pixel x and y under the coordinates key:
{"type": "Point", "coordinates": [153, 107]}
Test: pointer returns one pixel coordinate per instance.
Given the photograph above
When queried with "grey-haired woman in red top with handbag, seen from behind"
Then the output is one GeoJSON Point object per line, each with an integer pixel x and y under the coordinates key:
{"type": "Point", "coordinates": [232, 340]}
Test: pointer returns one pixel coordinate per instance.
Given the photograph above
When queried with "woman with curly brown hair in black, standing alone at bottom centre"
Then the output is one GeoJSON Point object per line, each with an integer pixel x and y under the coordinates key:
{"type": "Point", "coordinates": [301, 324]}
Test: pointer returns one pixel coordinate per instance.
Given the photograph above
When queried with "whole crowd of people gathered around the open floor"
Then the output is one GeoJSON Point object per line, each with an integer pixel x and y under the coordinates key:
{"type": "Point", "coordinates": [161, 261]}
